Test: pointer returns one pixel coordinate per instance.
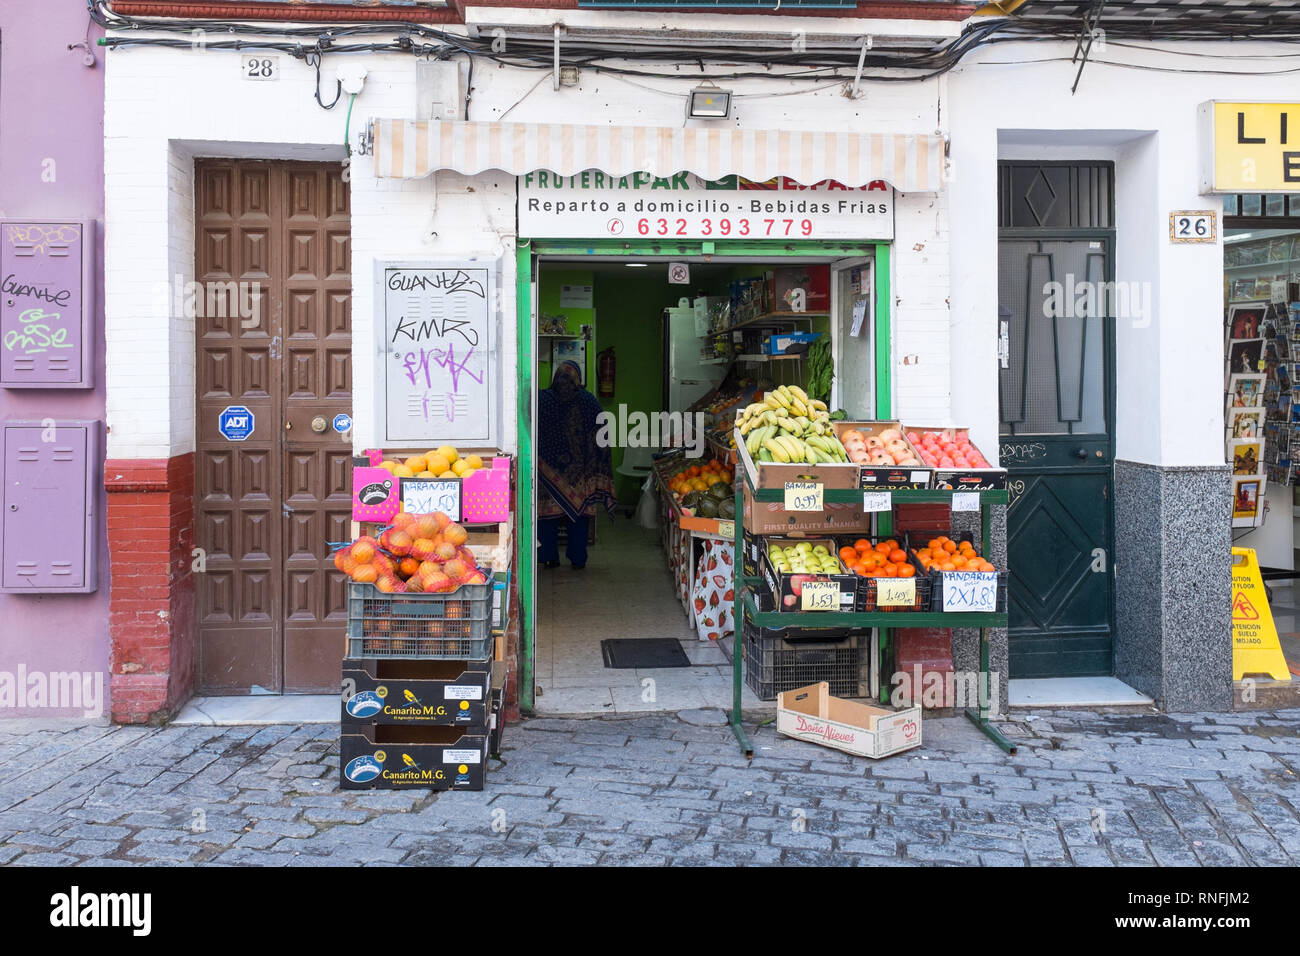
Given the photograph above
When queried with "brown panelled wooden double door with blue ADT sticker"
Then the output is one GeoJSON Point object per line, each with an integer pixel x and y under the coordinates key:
{"type": "Point", "coordinates": [271, 605]}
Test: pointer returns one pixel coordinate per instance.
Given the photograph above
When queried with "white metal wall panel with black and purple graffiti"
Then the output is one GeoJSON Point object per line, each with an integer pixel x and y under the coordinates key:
{"type": "Point", "coordinates": [437, 361]}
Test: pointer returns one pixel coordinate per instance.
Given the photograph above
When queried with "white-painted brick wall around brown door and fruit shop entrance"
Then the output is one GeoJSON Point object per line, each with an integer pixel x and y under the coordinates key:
{"type": "Point", "coordinates": [164, 107]}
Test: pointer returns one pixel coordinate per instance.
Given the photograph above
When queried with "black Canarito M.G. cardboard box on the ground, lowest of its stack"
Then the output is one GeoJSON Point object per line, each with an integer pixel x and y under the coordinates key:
{"type": "Point", "coordinates": [413, 758]}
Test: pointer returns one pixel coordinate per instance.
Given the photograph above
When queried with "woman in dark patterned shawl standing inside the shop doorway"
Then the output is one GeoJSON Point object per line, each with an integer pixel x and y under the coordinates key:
{"type": "Point", "coordinates": [574, 471]}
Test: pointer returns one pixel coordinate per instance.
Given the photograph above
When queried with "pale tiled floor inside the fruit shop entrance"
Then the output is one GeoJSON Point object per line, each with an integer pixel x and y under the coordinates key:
{"type": "Point", "coordinates": [625, 591]}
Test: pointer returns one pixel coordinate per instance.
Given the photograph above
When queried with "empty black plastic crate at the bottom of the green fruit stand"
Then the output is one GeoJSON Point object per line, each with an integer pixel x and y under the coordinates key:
{"type": "Point", "coordinates": [774, 665]}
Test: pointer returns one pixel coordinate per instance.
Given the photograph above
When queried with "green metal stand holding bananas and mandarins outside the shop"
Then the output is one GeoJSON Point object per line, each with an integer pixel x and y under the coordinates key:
{"type": "Point", "coordinates": [883, 621]}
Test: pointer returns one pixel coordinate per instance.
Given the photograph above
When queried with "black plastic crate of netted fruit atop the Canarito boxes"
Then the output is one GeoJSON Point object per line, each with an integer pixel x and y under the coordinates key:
{"type": "Point", "coordinates": [456, 625]}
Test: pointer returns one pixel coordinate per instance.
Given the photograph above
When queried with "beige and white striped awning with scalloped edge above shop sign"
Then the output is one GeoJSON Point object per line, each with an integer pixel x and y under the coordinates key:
{"type": "Point", "coordinates": [409, 150]}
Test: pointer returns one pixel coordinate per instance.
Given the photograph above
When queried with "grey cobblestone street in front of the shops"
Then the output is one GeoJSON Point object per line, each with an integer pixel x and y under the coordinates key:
{"type": "Point", "coordinates": [1085, 789]}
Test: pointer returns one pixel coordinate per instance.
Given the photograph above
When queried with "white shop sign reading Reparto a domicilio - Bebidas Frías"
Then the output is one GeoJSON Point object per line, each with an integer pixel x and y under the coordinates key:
{"type": "Point", "coordinates": [683, 206]}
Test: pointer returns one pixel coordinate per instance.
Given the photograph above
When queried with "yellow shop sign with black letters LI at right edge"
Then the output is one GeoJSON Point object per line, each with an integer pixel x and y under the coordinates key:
{"type": "Point", "coordinates": [1250, 148]}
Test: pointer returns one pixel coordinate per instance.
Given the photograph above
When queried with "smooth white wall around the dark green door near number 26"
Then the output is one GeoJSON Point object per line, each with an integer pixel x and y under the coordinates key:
{"type": "Point", "coordinates": [1169, 377]}
